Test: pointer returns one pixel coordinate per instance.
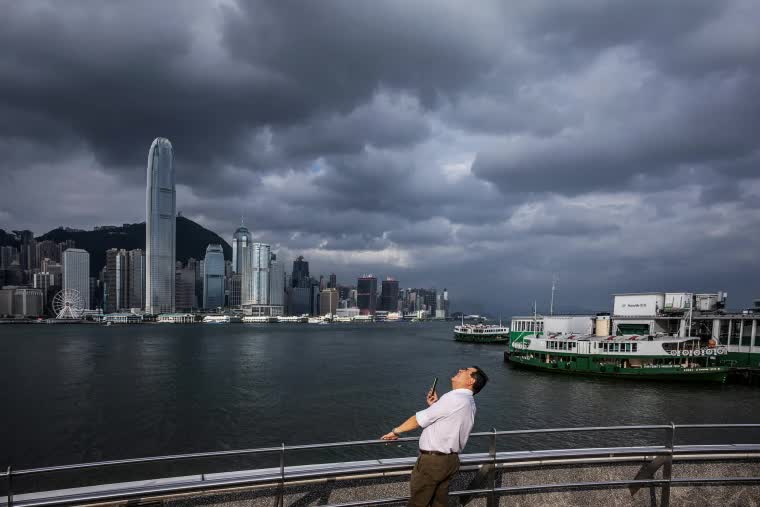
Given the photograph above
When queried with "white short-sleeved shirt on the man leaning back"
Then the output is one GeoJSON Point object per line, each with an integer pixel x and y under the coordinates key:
{"type": "Point", "coordinates": [447, 423]}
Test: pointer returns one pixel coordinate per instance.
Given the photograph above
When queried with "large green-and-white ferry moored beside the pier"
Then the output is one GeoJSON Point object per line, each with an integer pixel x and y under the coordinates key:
{"type": "Point", "coordinates": [650, 357]}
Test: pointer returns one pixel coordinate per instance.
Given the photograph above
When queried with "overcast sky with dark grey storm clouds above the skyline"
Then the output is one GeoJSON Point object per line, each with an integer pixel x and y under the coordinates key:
{"type": "Point", "coordinates": [479, 146]}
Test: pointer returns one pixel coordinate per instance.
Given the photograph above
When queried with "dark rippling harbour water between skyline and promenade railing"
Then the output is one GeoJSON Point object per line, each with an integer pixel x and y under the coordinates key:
{"type": "Point", "coordinates": [86, 392]}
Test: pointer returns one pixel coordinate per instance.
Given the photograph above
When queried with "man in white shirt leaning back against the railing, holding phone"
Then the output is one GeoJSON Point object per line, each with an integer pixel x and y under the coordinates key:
{"type": "Point", "coordinates": [447, 424]}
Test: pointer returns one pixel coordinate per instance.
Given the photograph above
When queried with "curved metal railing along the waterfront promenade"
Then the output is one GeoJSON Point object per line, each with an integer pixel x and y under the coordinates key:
{"type": "Point", "coordinates": [484, 461]}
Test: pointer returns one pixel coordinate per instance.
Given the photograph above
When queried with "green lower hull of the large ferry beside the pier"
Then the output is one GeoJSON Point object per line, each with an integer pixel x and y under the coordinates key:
{"type": "Point", "coordinates": [701, 374]}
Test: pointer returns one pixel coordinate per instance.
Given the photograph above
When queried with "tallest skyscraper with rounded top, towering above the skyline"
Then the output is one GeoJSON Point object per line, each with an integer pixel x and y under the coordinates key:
{"type": "Point", "coordinates": [160, 228]}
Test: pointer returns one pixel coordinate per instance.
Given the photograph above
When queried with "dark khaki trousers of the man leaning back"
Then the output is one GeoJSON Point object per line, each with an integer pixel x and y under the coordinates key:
{"type": "Point", "coordinates": [429, 484]}
